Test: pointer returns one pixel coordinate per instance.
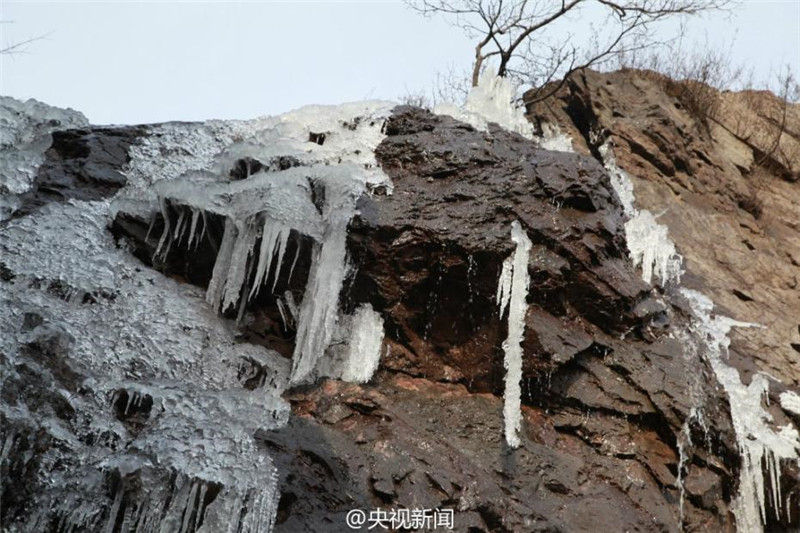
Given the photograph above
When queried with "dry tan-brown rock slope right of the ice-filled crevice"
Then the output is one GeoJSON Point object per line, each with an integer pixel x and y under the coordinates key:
{"type": "Point", "coordinates": [714, 175]}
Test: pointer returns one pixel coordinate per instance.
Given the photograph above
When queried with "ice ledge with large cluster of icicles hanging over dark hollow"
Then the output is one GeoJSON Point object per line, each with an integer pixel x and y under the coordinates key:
{"type": "Point", "coordinates": [261, 214]}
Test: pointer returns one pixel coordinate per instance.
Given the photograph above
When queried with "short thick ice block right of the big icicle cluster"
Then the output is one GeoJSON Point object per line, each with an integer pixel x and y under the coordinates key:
{"type": "Point", "coordinates": [364, 351]}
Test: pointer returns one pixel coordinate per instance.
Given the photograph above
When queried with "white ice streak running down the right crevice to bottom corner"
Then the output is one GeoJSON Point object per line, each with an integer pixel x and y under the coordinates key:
{"type": "Point", "coordinates": [761, 445]}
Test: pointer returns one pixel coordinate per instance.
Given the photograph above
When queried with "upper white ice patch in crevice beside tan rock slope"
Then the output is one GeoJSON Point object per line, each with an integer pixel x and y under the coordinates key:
{"type": "Point", "coordinates": [648, 241]}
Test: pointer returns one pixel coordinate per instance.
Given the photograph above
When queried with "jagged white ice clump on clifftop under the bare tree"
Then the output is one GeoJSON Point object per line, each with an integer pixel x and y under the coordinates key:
{"type": "Point", "coordinates": [492, 100]}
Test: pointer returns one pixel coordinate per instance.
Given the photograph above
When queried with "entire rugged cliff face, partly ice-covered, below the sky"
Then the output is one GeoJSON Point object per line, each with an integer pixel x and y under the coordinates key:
{"type": "Point", "coordinates": [632, 417]}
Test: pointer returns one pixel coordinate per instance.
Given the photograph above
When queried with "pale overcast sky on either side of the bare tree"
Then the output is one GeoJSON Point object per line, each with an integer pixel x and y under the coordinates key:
{"type": "Point", "coordinates": [135, 62]}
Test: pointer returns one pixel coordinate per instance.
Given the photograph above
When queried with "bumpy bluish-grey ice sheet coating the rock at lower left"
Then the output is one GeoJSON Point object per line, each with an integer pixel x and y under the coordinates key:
{"type": "Point", "coordinates": [125, 380]}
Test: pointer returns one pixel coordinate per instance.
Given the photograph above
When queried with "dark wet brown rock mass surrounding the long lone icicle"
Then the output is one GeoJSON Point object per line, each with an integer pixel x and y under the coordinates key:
{"type": "Point", "coordinates": [604, 387]}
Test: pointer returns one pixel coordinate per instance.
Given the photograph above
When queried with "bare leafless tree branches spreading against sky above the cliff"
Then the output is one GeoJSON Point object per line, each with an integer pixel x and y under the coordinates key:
{"type": "Point", "coordinates": [530, 39]}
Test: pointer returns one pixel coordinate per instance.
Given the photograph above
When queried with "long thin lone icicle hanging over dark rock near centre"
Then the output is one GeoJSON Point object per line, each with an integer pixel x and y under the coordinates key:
{"type": "Point", "coordinates": [512, 294]}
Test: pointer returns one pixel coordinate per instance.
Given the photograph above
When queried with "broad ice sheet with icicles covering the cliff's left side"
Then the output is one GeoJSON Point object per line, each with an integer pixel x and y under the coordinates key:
{"type": "Point", "coordinates": [163, 394]}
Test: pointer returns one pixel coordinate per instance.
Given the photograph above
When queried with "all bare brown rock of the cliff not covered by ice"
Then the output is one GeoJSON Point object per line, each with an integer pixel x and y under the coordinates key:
{"type": "Point", "coordinates": [608, 384]}
